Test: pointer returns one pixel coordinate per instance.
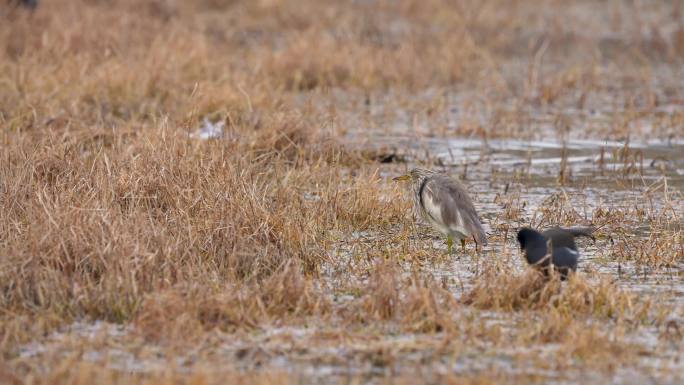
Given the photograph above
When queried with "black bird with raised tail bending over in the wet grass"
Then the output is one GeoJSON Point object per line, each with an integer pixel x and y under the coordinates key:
{"type": "Point", "coordinates": [564, 254]}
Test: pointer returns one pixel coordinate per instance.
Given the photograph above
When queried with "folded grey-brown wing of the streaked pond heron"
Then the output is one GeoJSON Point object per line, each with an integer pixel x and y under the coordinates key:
{"type": "Point", "coordinates": [446, 201]}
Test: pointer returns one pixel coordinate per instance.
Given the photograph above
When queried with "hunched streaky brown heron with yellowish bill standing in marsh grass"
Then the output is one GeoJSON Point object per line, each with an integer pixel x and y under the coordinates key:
{"type": "Point", "coordinates": [445, 204]}
